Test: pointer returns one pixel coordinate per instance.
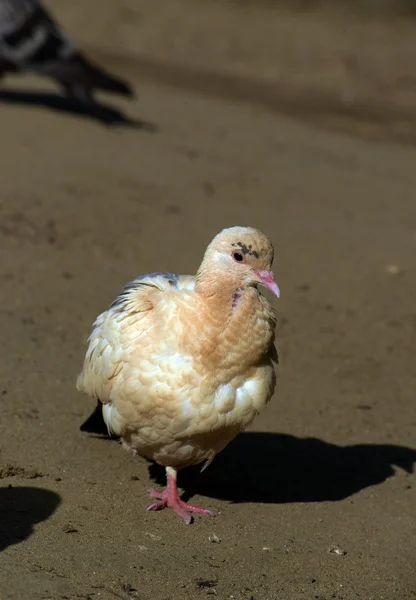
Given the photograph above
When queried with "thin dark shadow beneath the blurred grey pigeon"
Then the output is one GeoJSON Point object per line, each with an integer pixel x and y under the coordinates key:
{"type": "Point", "coordinates": [100, 112]}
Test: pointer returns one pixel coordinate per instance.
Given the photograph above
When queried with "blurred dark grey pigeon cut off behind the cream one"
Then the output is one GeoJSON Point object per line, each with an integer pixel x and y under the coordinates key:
{"type": "Point", "coordinates": [30, 40]}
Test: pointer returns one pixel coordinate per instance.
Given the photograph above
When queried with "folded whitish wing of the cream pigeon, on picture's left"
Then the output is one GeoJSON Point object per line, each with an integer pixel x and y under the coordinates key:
{"type": "Point", "coordinates": [120, 346]}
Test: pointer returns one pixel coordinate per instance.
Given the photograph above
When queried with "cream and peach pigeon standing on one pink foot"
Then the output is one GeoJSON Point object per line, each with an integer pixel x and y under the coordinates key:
{"type": "Point", "coordinates": [182, 364]}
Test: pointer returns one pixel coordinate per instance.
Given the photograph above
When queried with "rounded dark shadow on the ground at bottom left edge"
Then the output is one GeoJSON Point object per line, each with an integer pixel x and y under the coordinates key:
{"type": "Point", "coordinates": [20, 509]}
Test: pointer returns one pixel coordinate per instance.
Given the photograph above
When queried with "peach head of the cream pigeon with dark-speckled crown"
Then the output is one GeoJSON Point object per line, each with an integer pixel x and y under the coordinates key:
{"type": "Point", "coordinates": [242, 256]}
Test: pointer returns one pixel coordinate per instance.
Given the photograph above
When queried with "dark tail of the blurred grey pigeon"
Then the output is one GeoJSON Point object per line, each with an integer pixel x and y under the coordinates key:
{"type": "Point", "coordinates": [77, 71]}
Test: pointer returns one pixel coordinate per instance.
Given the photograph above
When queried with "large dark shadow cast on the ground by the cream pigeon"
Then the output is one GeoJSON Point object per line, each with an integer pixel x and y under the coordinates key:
{"type": "Point", "coordinates": [277, 468]}
